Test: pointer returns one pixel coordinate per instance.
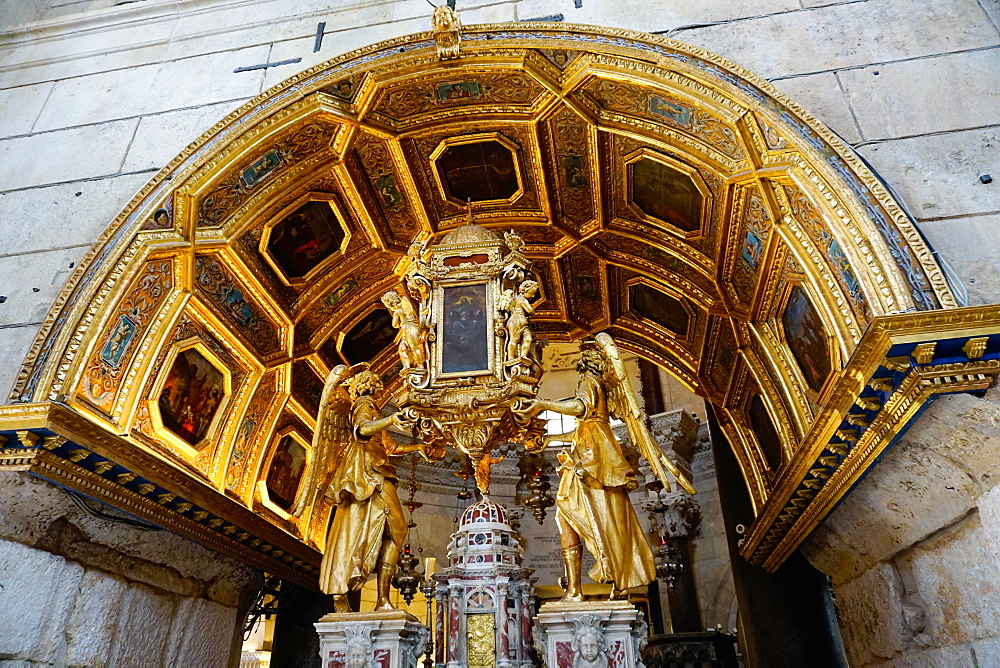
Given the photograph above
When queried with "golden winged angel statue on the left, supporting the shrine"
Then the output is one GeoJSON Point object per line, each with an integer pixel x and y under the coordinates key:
{"type": "Point", "coordinates": [352, 468]}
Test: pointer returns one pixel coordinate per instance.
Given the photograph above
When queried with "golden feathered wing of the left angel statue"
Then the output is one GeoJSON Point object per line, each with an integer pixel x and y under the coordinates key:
{"type": "Point", "coordinates": [333, 429]}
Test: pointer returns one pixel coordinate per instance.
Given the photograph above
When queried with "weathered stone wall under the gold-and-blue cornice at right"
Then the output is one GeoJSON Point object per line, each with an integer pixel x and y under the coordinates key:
{"type": "Point", "coordinates": [913, 551]}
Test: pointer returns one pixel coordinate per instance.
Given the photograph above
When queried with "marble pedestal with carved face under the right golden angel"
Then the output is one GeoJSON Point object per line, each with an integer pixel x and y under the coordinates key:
{"type": "Point", "coordinates": [592, 633]}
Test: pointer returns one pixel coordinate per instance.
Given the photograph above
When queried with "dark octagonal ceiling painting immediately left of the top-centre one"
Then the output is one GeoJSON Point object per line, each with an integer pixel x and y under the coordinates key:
{"type": "Point", "coordinates": [300, 242]}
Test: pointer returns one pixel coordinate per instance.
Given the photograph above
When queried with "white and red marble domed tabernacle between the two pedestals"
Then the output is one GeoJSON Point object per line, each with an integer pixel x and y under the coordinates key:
{"type": "Point", "coordinates": [485, 598]}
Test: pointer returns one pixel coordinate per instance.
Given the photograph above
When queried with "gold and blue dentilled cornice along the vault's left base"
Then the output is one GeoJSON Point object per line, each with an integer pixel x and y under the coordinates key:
{"type": "Point", "coordinates": [53, 442]}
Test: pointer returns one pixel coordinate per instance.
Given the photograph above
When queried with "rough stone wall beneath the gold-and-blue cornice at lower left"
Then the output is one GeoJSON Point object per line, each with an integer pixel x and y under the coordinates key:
{"type": "Point", "coordinates": [78, 590]}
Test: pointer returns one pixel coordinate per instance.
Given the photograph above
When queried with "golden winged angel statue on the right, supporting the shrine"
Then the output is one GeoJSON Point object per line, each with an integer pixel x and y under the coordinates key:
{"type": "Point", "coordinates": [592, 502]}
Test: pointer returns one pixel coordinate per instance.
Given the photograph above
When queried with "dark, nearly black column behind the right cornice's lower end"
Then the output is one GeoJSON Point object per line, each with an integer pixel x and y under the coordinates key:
{"type": "Point", "coordinates": [787, 618]}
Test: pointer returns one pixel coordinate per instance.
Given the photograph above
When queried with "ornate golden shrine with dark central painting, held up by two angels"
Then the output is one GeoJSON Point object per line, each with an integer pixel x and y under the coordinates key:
{"type": "Point", "coordinates": [467, 351]}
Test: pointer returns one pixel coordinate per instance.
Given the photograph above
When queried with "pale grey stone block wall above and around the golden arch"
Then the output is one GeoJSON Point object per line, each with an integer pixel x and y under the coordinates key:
{"type": "Point", "coordinates": [103, 98]}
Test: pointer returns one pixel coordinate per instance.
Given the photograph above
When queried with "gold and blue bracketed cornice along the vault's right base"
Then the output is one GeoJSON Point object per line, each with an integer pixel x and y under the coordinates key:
{"type": "Point", "coordinates": [902, 363]}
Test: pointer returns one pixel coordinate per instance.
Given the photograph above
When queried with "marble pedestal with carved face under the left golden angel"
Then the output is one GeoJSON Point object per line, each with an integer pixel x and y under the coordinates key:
{"type": "Point", "coordinates": [393, 639]}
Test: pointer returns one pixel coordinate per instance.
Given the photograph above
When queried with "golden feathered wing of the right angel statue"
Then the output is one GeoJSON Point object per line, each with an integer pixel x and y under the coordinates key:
{"type": "Point", "coordinates": [625, 406]}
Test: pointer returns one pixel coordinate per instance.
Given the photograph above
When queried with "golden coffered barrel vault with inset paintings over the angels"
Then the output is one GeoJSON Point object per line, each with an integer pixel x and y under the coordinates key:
{"type": "Point", "coordinates": [665, 196]}
